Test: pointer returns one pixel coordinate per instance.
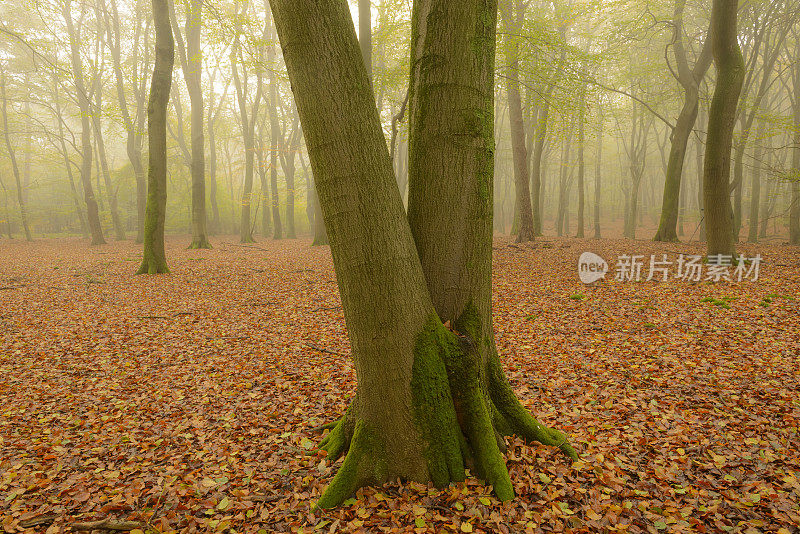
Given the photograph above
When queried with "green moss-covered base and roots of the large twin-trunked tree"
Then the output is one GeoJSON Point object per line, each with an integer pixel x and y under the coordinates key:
{"type": "Point", "coordinates": [463, 405]}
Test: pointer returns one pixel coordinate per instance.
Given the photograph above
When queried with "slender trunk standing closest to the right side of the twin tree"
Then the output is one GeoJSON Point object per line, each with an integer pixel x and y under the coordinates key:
{"type": "Point", "coordinates": [513, 16]}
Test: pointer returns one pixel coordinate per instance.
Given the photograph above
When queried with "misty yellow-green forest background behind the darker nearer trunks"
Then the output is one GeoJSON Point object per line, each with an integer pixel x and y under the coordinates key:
{"type": "Point", "coordinates": [602, 86]}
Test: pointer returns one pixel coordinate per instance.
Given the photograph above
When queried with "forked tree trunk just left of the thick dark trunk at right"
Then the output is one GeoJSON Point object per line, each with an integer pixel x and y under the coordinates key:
{"type": "Point", "coordinates": [690, 81]}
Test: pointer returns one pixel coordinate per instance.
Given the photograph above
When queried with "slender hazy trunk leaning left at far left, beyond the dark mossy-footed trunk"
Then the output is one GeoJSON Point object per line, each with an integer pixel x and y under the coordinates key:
{"type": "Point", "coordinates": [86, 129]}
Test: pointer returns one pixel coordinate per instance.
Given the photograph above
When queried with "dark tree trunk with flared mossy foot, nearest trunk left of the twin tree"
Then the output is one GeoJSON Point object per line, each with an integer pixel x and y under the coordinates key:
{"type": "Point", "coordinates": [155, 260]}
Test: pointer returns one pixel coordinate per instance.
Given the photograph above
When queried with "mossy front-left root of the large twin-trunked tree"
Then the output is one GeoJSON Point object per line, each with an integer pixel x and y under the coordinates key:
{"type": "Point", "coordinates": [363, 464]}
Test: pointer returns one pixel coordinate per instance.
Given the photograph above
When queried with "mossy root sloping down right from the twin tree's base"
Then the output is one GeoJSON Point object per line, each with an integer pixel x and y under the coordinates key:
{"type": "Point", "coordinates": [519, 421]}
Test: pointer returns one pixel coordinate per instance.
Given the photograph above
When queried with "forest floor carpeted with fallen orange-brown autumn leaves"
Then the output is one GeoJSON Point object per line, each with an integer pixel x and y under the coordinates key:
{"type": "Point", "coordinates": [187, 401]}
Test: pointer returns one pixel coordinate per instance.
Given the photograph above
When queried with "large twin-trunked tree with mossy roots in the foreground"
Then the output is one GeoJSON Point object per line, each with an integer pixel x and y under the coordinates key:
{"type": "Point", "coordinates": [430, 400]}
